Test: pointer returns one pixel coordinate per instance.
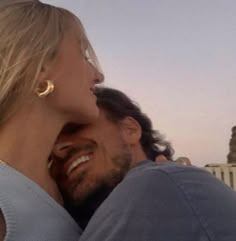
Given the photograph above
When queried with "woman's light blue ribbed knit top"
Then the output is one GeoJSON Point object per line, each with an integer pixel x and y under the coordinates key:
{"type": "Point", "coordinates": [30, 213]}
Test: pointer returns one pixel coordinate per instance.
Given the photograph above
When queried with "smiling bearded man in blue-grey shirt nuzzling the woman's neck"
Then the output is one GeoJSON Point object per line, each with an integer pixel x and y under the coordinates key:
{"type": "Point", "coordinates": [160, 201]}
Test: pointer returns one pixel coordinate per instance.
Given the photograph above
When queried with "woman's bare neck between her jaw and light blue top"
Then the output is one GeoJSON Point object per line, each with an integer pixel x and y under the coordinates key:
{"type": "Point", "coordinates": [26, 142]}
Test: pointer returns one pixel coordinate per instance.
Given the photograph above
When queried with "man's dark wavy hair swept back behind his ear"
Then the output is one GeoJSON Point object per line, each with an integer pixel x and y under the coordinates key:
{"type": "Point", "coordinates": [117, 106]}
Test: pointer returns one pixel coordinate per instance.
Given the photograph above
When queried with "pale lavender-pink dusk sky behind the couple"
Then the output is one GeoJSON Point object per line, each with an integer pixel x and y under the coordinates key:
{"type": "Point", "coordinates": [177, 59]}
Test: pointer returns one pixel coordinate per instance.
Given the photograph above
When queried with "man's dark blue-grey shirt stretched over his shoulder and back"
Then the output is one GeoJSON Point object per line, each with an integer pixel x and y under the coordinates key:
{"type": "Point", "coordinates": [155, 198]}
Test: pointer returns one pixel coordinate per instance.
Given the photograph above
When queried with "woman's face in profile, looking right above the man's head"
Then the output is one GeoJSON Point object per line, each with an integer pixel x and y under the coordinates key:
{"type": "Point", "coordinates": [74, 77]}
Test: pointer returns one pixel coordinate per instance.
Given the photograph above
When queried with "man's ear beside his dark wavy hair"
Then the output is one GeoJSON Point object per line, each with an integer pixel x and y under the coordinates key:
{"type": "Point", "coordinates": [131, 130]}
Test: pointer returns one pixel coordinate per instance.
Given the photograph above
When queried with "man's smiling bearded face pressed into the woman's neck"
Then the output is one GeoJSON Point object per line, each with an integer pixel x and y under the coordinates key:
{"type": "Point", "coordinates": [89, 159]}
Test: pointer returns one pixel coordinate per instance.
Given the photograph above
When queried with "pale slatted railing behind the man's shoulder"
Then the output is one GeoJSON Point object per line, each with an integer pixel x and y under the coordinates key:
{"type": "Point", "coordinates": [225, 172]}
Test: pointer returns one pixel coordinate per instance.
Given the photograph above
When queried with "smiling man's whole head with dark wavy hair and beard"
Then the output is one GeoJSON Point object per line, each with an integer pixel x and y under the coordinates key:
{"type": "Point", "coordinates": [104, 152]}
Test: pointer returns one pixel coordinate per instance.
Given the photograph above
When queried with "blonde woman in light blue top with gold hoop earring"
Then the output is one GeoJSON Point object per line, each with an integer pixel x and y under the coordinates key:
{"type": "Point", "coordinates": [47, 75]}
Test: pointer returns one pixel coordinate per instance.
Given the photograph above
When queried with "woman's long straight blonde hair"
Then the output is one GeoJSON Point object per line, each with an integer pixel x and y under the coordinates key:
{"type": "Point", "coordinates": [30, 36]}
